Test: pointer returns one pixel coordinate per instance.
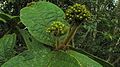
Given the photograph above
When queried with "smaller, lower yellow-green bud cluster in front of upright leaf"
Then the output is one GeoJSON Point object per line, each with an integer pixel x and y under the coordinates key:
{"type": "Point", "coordinates": [56, 28]}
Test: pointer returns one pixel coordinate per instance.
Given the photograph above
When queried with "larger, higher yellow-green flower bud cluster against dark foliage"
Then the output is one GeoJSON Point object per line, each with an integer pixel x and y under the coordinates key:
{"type": "Point", "coordinates": [77, 13]}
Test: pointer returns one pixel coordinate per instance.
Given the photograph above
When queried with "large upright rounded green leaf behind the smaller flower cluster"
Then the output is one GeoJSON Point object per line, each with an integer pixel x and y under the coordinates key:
{"type": "Point", "coordinates": [38, 17]}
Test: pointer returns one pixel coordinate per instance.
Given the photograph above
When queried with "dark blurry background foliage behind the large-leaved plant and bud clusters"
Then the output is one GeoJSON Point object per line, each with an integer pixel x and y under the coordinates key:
{"type": "Point", "coordinates": [100, 37]}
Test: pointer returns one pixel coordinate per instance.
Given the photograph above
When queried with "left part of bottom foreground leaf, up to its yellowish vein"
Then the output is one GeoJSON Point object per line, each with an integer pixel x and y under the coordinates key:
{"type": "Point", "coordinates": [42, 59]}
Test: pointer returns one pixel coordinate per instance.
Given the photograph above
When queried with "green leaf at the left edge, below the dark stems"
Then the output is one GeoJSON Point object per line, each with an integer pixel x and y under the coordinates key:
{"type": "Point", "coordinates": [7, 44]}
